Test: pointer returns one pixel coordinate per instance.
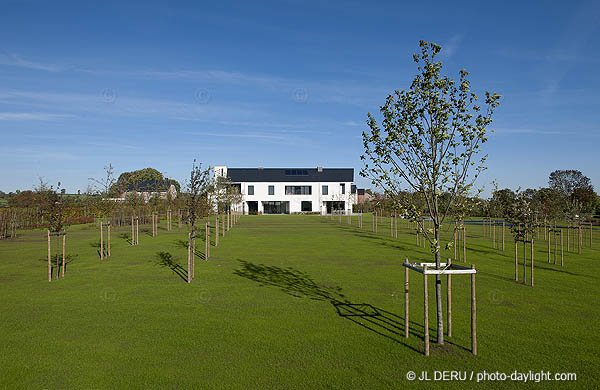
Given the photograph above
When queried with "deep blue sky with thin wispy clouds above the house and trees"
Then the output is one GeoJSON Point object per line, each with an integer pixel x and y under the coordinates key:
{"type": "Point", "coordinates": [281, 84]}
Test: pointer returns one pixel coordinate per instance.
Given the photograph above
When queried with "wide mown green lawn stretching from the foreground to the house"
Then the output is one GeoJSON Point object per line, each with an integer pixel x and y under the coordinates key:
{"type": "Point", "coordinates": [300, 302]}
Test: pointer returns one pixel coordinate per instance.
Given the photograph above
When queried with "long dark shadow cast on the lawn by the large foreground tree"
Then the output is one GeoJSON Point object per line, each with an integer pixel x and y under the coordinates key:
{"type": "Point", "coordinates": [299, 284]}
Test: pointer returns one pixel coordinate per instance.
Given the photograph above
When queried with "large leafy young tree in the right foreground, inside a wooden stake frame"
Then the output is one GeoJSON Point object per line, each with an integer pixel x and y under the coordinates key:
{"type": "Point", "coordinates": [429, 139]}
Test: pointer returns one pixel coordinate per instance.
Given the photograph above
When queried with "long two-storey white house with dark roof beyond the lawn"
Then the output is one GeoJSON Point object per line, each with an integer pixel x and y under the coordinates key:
{"type": "Point", "coordinates": [293, 190]}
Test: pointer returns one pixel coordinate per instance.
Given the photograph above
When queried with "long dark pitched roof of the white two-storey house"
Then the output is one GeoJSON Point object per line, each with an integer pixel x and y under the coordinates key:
{"type": "Point", "coordinates": [239, 175]}
